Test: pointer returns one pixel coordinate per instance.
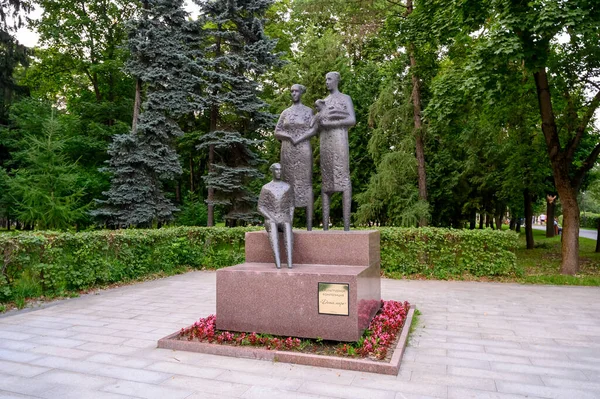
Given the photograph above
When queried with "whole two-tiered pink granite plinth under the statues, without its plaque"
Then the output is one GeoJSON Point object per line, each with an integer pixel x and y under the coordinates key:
{"type": "Point", "coordinates": [257, 297]}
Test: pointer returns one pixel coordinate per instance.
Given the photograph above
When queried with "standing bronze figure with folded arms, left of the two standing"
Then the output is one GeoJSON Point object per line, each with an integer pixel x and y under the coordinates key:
{"type": "Point", "coordinates": [294, 130]}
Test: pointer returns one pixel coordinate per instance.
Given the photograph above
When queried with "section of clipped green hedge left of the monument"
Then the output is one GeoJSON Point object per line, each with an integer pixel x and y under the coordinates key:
{"type": "Point", "coordinates": [56, 263]}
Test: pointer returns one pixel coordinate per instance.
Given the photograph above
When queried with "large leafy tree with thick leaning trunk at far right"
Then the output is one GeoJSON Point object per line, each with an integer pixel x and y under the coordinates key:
{"type": "Point", "coordinates": [556, 42]}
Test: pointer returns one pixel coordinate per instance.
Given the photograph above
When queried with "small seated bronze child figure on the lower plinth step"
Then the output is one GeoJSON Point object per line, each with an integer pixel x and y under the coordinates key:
{"type": "Point", "coordinates": [276, 204]}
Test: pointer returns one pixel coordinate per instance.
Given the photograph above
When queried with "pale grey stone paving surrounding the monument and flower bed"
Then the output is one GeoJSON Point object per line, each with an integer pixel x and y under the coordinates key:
{"type": "Point", "coordinates": [475, 340]}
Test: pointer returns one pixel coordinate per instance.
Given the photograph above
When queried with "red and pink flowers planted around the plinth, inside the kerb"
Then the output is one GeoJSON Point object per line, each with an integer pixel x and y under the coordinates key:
{"type": "Point", "coordinates": [374, 344]}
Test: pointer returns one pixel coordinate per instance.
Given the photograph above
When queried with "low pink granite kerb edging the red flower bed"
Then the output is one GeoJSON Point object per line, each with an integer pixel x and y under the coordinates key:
{"type": "Point", "coordinates": [371, 366]}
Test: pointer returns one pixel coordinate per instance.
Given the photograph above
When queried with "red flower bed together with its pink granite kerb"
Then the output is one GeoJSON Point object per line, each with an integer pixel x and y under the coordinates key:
{"type": "Point", "coordinates": [362, 357]}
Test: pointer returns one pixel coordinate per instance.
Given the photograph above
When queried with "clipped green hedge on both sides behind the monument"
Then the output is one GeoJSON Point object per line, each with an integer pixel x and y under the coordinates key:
{"type": "Point", "coordinates": [51, 263]}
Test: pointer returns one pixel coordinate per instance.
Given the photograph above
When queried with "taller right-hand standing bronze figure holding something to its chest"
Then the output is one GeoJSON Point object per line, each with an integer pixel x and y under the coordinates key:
{"type": "Point", "coordinates": [335, 116]}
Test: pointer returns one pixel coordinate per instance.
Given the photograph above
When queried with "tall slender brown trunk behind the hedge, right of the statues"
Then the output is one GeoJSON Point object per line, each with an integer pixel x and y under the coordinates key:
{"type": "Point", "coordinates": [418, 124]}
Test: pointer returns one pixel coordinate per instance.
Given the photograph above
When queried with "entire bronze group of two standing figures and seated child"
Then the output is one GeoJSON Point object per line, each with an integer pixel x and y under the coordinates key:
{"type": "Point", "coordinates": [291, 186]}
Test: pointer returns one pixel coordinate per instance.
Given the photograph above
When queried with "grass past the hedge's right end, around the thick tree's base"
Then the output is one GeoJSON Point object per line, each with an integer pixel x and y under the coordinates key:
{"type": "Point", "coordinates": [541, 265]}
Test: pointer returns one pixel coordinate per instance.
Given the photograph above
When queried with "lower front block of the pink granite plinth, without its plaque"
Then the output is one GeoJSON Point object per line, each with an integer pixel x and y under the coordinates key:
{"type": "Point", "coordinates": [256, 297]}
